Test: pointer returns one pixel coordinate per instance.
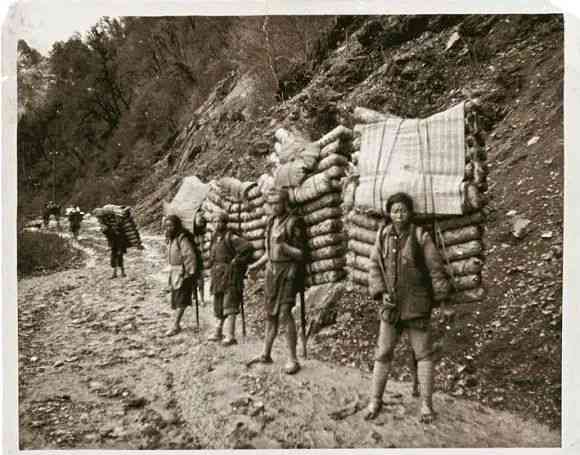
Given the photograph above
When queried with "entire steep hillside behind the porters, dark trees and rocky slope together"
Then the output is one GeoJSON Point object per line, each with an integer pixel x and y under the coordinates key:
{"type": "Point", "coordinates": [138, 103]}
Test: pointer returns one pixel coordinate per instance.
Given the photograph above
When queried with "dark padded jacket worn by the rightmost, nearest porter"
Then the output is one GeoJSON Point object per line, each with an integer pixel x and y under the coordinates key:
{"type": "Point", "coordinates": [409, 269]}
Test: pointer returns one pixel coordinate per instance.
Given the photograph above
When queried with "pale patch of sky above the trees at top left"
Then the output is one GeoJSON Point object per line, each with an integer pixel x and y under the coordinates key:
{"type": "Point", "coordinates": [42, 23]}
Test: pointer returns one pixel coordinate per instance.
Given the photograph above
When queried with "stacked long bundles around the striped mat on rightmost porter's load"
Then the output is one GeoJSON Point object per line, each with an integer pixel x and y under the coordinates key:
{"type": "Point", "coordinates": [458, 237]}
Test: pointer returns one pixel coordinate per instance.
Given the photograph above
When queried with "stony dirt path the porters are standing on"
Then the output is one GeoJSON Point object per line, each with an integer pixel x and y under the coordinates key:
{"type": "Point", "coordinates": [96, 372]}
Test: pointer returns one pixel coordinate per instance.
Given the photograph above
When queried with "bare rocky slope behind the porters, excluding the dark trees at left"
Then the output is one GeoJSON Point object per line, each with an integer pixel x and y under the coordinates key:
{"type": "Point", "coordinates": [506, 351]}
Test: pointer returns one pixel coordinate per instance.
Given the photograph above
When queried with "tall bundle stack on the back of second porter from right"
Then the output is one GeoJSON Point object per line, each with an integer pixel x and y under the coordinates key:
{"type": "Point", "coordinates": [313, 173]}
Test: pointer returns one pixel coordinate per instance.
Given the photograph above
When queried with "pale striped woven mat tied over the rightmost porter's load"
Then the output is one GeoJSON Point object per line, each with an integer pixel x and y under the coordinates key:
{"type": "Point", "coordinates": [422, 157]}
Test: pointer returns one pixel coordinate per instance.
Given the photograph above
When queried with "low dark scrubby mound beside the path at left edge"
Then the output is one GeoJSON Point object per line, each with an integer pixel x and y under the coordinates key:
{"type": "Point", "coordinates": [39, 252]}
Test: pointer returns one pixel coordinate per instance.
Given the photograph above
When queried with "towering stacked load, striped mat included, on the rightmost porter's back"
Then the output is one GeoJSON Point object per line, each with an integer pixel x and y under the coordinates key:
{"type": "Point", "coordinates": [451, 208]}
